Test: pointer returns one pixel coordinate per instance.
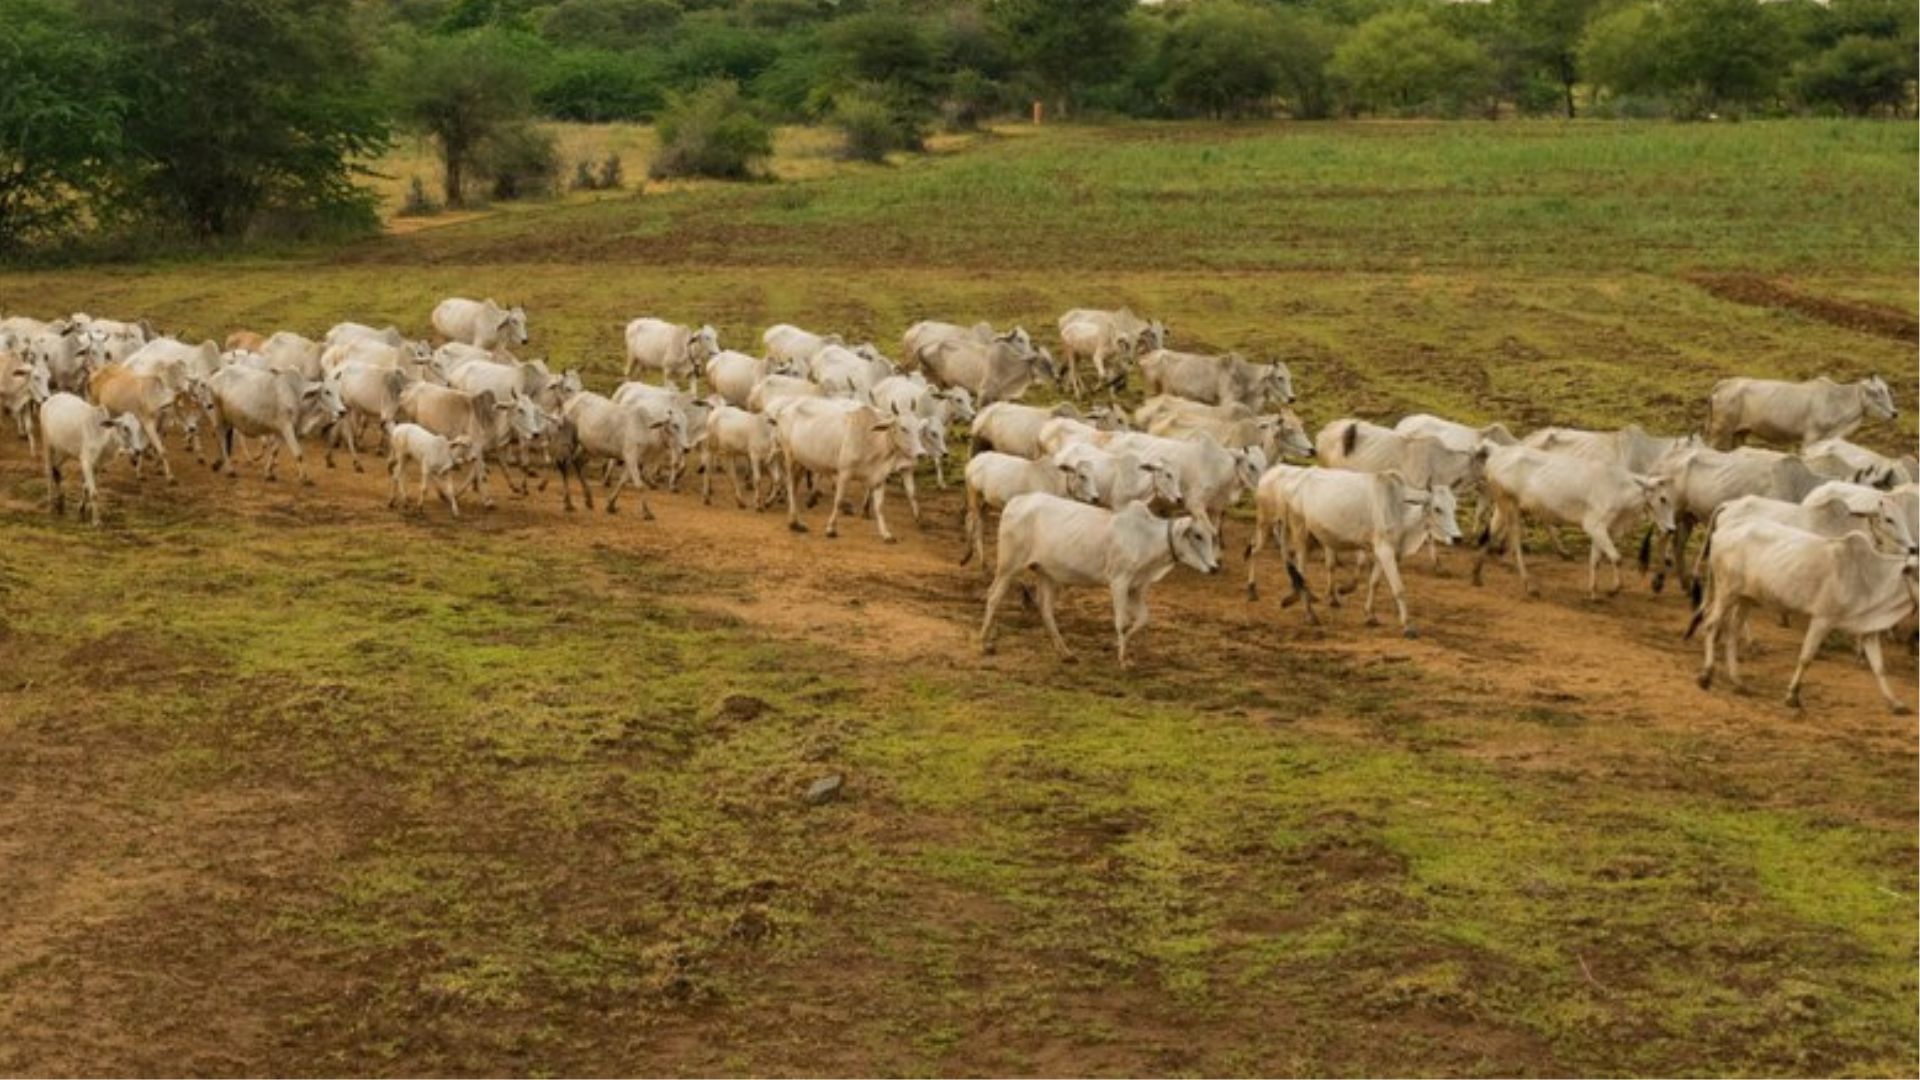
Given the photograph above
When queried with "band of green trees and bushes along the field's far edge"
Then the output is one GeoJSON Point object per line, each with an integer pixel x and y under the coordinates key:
{"type": "Point", "coordinates": [222, 118]}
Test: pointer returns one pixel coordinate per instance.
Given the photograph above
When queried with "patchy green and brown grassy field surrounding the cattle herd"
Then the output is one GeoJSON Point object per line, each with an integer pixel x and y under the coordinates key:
{"type": "Point", "coordinates": [297, 785]}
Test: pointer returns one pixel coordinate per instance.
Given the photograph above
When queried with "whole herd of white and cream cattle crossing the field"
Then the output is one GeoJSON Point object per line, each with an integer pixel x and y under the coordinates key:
{"type": "Point", "coordinates": [1086, 499]}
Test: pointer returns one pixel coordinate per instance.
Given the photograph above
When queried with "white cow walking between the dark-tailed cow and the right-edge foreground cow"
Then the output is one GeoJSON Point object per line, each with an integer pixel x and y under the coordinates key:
{"type": "Point", "coordinates": [1600, 497]}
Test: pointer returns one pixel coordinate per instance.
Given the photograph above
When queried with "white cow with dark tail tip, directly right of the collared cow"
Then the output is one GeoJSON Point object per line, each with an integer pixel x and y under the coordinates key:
{"type": "Point", "coordinates": [1380, 514]}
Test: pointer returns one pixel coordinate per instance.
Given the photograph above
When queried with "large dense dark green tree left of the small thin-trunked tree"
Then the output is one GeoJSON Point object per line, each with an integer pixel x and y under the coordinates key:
{"type": "Point", "coordinates": [243, 105]}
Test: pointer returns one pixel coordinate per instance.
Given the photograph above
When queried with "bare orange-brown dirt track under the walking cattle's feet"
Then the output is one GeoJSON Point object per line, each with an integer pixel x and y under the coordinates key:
{"type": "Point", "coordinates": [913, 604]}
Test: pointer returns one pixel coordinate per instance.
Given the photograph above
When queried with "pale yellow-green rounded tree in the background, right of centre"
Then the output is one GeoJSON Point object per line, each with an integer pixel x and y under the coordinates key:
{"type": "Point", "coordinates": [1406, 61]}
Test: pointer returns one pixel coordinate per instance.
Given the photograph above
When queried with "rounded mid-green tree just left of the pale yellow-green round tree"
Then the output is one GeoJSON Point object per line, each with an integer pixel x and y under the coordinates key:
{"type": "Point", "coordinates": [1224, 59]}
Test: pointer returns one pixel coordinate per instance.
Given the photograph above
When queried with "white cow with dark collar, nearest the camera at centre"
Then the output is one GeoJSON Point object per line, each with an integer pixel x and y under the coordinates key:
{"type": "Point", "coordinates": [1065, 543]}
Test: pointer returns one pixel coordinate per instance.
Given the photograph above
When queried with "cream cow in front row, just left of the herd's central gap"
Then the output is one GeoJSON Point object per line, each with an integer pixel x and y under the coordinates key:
{"type": "Point", "coordinates": [855, 445]}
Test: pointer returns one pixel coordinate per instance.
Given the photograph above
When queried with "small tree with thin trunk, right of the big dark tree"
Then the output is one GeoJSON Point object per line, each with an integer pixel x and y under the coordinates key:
{"type": "Point", "coordinates": [462, 91]}
